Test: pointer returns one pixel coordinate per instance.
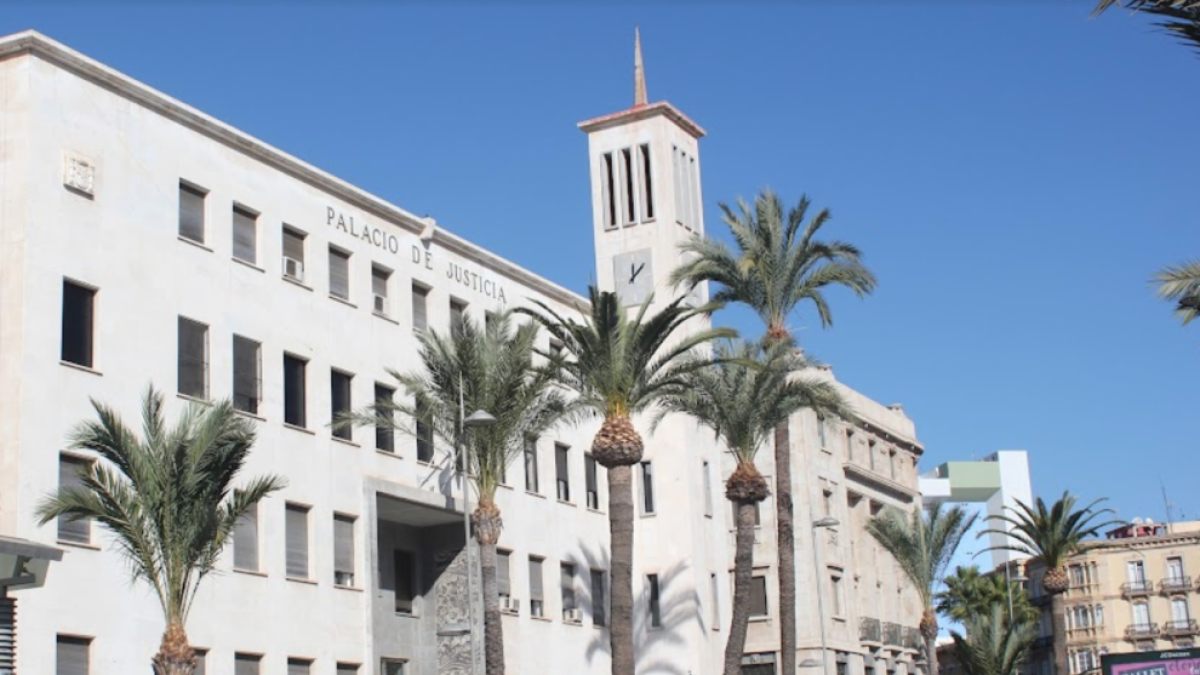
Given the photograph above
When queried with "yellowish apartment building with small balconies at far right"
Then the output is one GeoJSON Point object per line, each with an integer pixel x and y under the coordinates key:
{"type": "Point", "coordinates": [1136, 590]}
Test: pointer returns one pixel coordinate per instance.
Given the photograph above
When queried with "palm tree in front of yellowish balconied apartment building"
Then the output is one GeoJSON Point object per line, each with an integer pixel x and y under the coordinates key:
{"type": "Point", "coordinates": [1052, 536]}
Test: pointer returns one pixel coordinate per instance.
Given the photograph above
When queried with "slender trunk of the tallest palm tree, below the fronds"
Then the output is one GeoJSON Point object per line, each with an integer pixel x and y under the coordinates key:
{"type": "Point", "coordinates": [787, 545]}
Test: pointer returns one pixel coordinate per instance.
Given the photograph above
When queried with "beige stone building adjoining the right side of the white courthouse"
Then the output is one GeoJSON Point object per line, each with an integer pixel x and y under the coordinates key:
{"type": "Point", "coordinates": [849, 471]}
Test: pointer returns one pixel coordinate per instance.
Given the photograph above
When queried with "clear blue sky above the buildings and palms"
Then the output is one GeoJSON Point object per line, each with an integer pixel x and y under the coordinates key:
{"type": "Point", "coordinates": [1015, 172]}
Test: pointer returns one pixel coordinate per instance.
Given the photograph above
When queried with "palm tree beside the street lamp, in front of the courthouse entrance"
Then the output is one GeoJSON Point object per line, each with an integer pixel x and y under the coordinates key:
{"type": "Point", "coordinates": [490, 369]}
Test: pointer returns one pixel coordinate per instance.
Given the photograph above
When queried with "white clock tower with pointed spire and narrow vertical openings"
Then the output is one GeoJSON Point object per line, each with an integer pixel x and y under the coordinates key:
{"type": "Point", "coordinates": [646, 199]}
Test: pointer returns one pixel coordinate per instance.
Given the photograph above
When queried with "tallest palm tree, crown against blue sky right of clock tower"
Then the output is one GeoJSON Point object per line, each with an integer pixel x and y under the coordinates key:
{"type": "Point", "coordinates": [778, 265]}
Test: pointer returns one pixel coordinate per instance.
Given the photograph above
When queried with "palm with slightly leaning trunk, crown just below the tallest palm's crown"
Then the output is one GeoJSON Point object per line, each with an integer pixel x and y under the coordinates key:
{"type": "Point", "coordinates": [742, 397]}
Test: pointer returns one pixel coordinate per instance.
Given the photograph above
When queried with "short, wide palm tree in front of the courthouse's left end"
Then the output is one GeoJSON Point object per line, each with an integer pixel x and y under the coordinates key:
{"type": "Point", "coordinates": [169, 499]}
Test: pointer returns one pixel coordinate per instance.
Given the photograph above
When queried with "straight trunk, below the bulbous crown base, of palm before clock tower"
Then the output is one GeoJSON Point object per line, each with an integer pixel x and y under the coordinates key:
{"type": "Point", "coordinates": [621, 592]}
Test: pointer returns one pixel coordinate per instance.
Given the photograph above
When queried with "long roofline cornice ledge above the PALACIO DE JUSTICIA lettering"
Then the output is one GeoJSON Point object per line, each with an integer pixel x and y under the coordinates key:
{"type": "Point", "coordinates": [33, 43]}
